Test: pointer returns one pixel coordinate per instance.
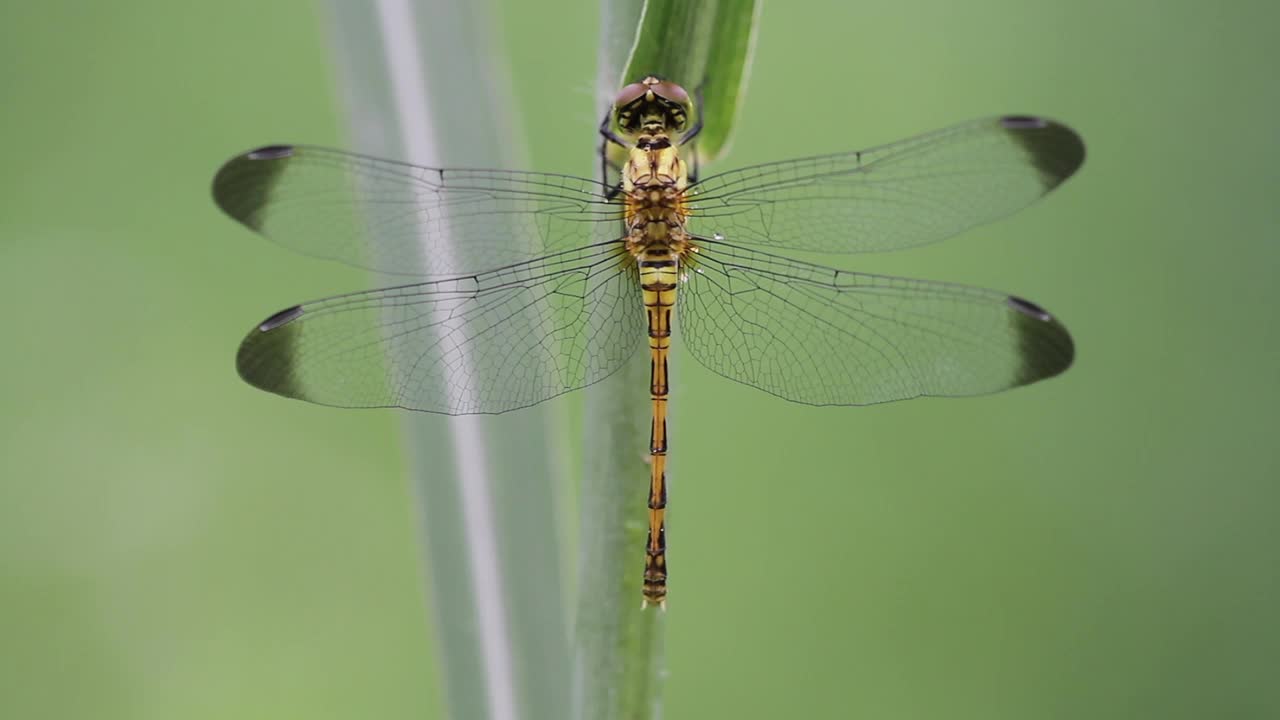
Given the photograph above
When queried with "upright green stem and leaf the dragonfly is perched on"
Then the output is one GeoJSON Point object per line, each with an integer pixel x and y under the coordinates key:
{"type": "Point", "coordinates": [619, 649]}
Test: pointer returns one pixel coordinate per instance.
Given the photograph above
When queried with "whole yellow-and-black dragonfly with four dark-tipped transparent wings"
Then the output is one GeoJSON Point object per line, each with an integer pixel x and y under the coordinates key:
{"type": "Point", "coordinates": [520, 286]}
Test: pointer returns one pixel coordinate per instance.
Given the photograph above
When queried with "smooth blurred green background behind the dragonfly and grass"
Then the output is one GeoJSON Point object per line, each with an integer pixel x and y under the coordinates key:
{"type": "Point", "coordinates": [175, 544]}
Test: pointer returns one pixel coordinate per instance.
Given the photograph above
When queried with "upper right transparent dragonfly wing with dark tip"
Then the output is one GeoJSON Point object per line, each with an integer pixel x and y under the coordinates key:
{"type": "Point", "coordinates": [911, 193]}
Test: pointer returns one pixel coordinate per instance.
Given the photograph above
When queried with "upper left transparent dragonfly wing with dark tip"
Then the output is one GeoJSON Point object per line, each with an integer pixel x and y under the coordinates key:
{"type": "Point", "coordinates": [406, 220]}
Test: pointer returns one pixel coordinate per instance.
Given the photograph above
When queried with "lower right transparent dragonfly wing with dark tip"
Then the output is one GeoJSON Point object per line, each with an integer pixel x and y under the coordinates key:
{"type": "Point", "coordinates": [821, 336]}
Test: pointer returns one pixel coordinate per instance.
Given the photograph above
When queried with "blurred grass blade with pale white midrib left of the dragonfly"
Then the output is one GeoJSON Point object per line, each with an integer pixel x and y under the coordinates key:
{"type": "Point", "coordinates": [484, 486]}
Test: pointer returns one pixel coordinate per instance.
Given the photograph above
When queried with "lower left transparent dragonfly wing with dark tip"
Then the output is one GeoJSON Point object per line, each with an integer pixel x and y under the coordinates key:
{"type": "Point", "coordinates": [478, 344]}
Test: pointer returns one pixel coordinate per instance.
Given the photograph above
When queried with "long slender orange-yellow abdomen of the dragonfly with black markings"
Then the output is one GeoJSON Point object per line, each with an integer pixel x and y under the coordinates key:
{"type": "Point", "coordinates": [660, 275]}
